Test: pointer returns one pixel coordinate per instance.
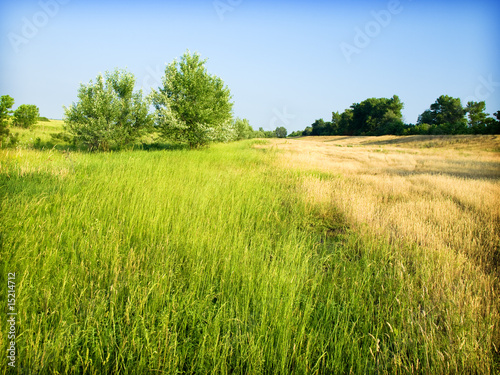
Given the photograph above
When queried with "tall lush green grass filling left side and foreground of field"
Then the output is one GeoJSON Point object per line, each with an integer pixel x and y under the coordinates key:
{"type": "Point", "coordinates": [209, 261]}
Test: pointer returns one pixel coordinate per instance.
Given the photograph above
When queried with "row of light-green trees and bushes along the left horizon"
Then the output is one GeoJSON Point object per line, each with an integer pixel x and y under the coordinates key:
{"type": "Point", "coordinates": [192, 107]}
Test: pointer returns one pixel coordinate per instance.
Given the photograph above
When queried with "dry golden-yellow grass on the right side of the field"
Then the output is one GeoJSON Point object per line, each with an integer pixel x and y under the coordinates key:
{"type": "Point", "coordinates": [442, 193]}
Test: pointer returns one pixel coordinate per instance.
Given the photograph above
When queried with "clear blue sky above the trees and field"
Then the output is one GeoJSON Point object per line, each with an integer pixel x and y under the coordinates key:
{"type": "Point", "coordinates": [287, 63]}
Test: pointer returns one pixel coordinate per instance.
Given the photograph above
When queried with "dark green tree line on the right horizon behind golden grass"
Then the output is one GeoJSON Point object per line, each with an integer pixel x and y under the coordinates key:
{"type": "Point", "coordinates": [382, 116]}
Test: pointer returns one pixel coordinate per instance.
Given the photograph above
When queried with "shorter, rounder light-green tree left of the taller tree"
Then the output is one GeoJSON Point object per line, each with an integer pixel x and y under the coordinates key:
{"type": "Point", "coordinates": [109, 114]}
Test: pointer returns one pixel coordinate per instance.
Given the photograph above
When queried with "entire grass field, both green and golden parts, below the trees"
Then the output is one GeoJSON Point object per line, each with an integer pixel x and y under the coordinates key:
{"type": "Point", "coordinates": [315, 255]}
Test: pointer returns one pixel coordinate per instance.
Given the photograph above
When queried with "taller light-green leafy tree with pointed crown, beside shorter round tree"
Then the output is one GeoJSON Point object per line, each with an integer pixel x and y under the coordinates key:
{"type": "Point", "coordinates": [193, 106]}
